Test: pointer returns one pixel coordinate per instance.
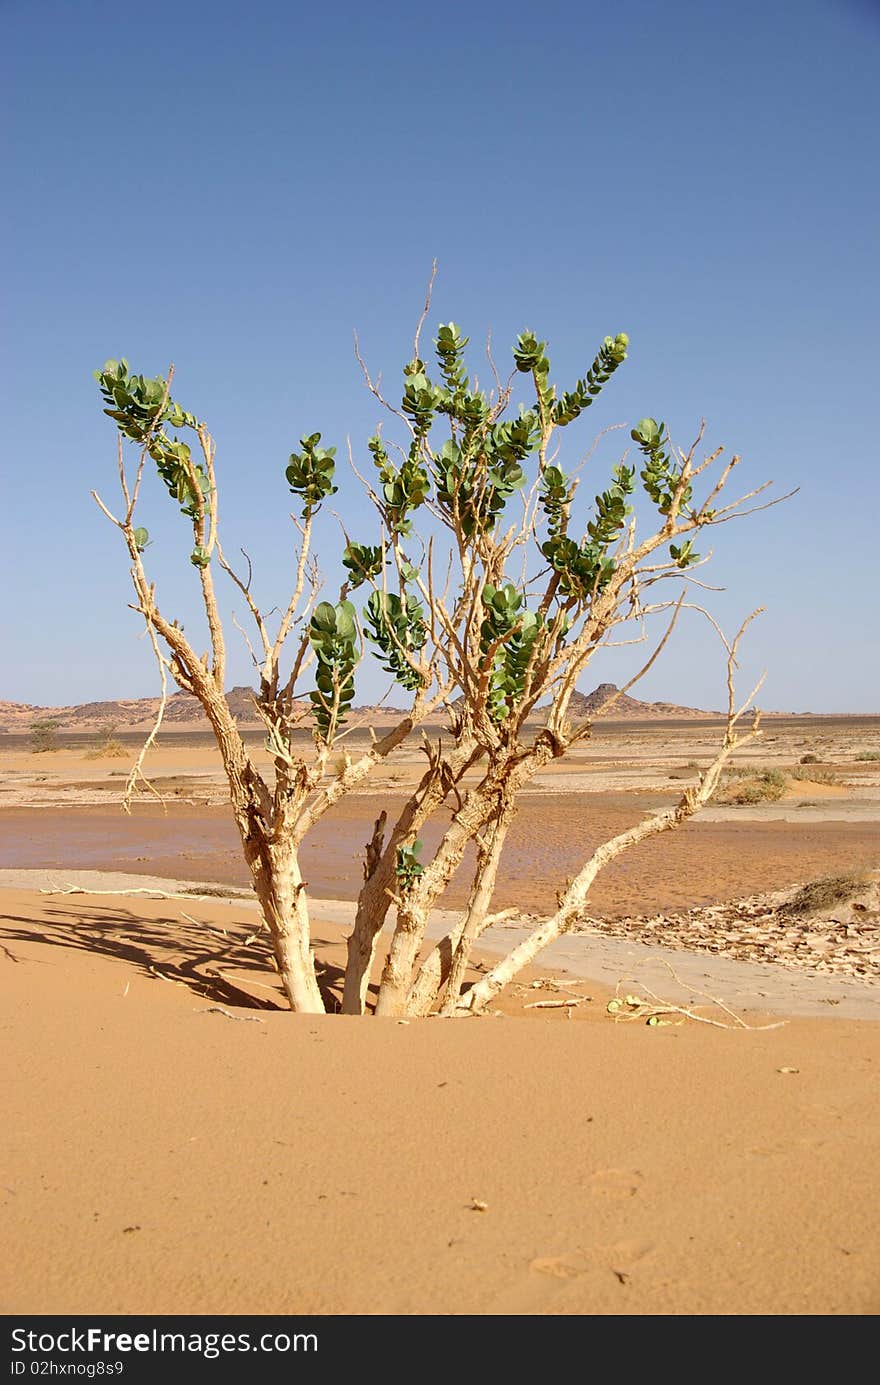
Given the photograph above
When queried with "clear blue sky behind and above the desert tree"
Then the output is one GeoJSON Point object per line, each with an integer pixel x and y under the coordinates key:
{"type": "Point", "coordinates": [238, 188]}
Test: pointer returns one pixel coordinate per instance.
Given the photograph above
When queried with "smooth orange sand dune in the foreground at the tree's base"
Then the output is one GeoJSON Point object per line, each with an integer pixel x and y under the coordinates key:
{"type": "Point", "coordinates": [174, 1147]}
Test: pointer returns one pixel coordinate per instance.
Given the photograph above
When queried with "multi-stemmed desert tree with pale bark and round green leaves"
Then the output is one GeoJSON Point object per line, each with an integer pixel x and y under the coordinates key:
{"type": "Point", "coordinates": [486, 591]}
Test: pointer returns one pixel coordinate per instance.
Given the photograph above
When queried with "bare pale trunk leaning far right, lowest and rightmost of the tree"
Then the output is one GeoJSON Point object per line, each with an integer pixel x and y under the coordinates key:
{"type": "Point", "coordinates": [574, 900]}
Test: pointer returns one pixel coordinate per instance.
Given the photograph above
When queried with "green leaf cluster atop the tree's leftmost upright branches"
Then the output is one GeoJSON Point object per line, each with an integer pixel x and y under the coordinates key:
{"type": "Point", "coordinates": [141, 409]}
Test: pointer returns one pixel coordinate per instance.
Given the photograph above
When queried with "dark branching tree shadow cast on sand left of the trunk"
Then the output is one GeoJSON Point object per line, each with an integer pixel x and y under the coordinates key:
{"type": "Point", "coordinates": [173, 949]}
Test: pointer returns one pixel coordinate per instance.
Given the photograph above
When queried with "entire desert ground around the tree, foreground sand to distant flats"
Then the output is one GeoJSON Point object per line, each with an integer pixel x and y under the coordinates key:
{"type": "Point", "coordinates": [177, 1143]}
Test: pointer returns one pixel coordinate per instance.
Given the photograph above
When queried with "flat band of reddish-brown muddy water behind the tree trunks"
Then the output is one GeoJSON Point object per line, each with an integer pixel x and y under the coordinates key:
{"type": "Point", "coordinates": [552, 837]}
